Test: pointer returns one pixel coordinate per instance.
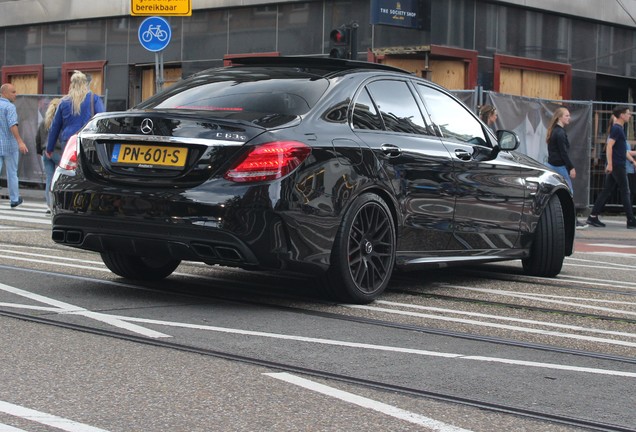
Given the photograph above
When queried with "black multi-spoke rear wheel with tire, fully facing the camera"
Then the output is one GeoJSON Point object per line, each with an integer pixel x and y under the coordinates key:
{"type": "Point", "coordinates": [363, 254]}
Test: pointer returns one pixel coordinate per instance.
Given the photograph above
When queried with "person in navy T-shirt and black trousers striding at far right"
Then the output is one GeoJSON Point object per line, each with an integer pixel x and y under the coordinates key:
{"type": "Point", "coordinates": [616, 175]}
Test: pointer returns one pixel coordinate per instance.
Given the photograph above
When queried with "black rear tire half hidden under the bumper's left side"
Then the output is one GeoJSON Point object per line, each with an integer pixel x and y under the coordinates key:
{"type": "Point", "coordinates": [139, 268]}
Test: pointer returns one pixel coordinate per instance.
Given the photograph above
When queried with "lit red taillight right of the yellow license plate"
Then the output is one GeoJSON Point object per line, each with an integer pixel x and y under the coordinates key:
{"type": "Point", "coordinates": [269, 161]}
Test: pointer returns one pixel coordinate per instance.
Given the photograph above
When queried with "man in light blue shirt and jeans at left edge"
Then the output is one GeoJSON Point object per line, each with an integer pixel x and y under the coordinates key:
{"type": "Point", "coordinates": [11, 144]}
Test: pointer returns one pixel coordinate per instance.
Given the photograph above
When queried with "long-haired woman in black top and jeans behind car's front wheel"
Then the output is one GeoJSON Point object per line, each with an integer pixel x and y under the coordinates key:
{"type": "Point", "coordinates": [558, 149]}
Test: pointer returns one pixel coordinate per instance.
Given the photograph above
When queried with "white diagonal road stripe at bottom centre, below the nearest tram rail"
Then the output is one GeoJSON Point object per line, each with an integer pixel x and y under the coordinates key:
{"type": "Point", "coordinates": [367, 403]}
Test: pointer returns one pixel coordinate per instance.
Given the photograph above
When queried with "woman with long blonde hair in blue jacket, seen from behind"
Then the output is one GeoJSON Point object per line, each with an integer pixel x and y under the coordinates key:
{"type": "Point", "coordinates": [74, 111]}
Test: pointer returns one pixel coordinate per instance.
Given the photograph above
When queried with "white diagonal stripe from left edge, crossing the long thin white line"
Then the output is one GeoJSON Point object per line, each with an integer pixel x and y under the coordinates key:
{"type": "Point", "coordinates": [67, 308]}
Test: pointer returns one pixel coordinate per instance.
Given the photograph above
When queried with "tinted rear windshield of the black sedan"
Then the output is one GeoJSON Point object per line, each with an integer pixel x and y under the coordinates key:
{"type": "Point", "coordinates": [241, 91]}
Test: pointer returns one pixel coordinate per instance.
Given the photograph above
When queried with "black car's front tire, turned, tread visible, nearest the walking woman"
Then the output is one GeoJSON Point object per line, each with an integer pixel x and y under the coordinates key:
{"type": "Point", "coordinates": [548, 247]}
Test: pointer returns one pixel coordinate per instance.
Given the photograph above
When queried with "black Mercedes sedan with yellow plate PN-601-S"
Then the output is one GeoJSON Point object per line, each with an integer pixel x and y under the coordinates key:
{"type": "Point", "coordinates": [340, 169]}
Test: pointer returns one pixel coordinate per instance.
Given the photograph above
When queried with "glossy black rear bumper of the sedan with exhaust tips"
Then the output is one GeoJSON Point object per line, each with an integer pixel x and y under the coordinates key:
{"type": "Point", "coordinates": [175, 225]}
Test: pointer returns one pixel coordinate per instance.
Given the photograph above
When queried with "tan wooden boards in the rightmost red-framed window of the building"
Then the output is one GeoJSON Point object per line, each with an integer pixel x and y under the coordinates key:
{"type": "Point", "coordinates": [530, 83]}
